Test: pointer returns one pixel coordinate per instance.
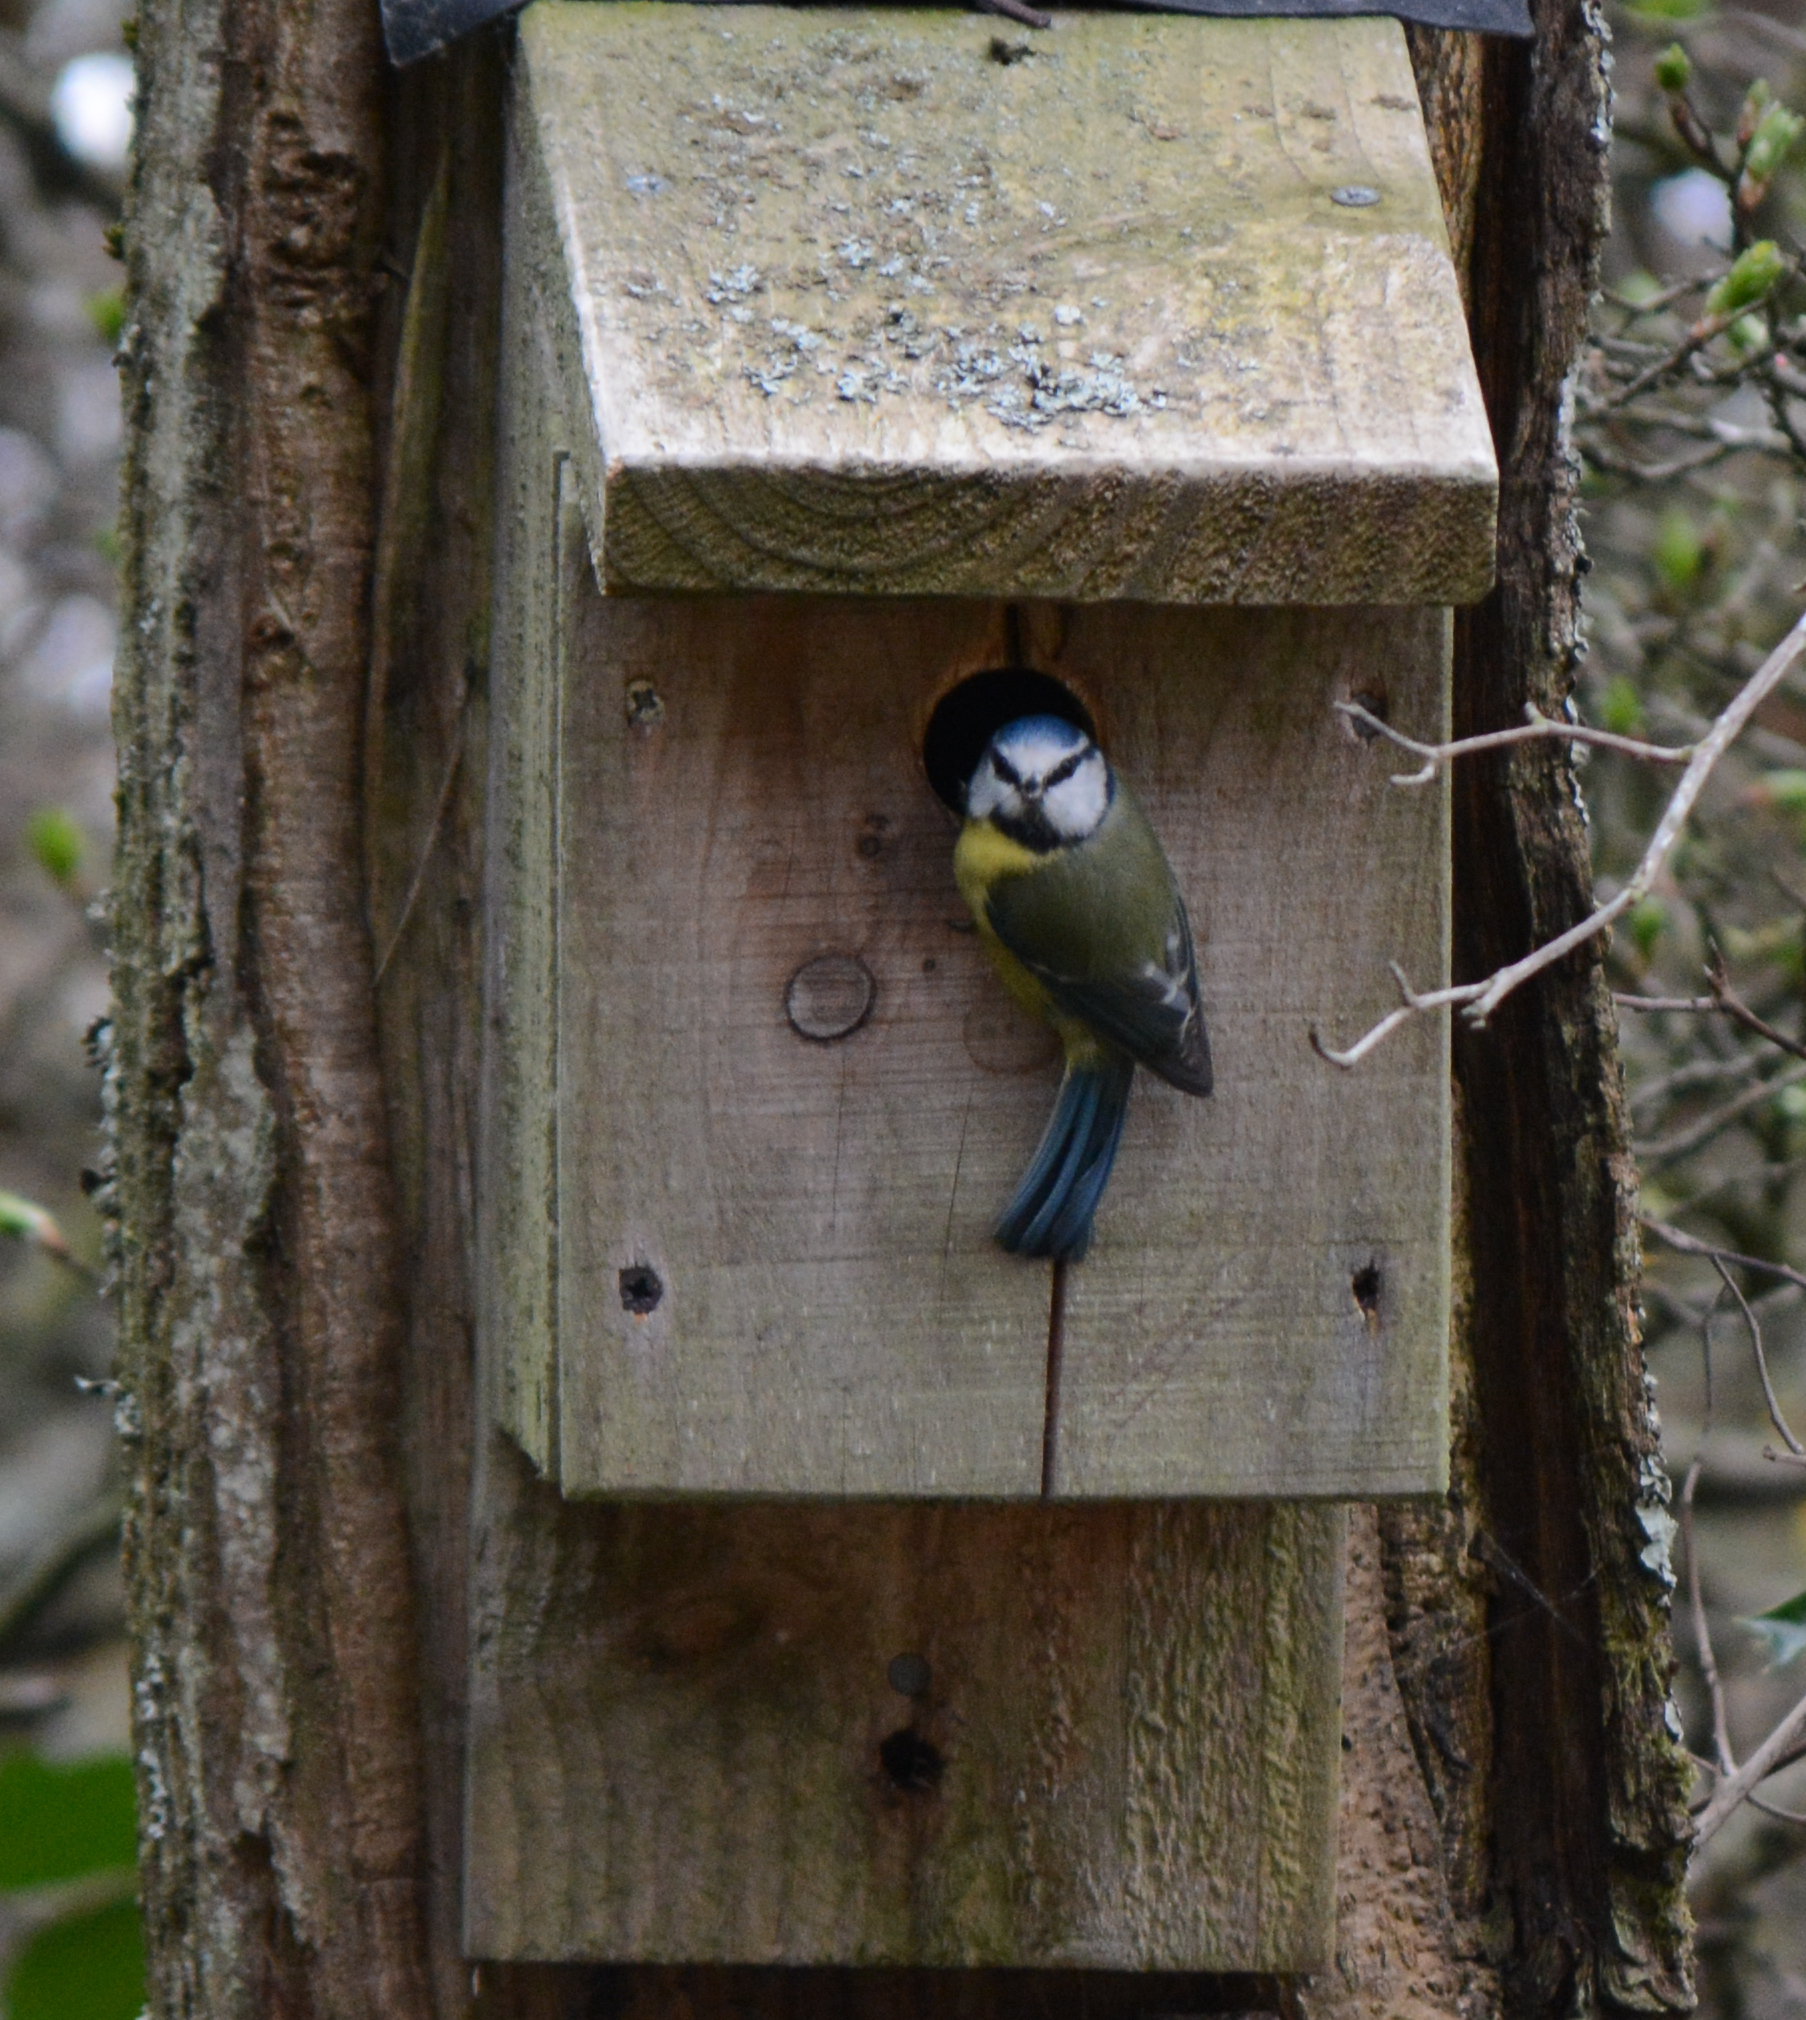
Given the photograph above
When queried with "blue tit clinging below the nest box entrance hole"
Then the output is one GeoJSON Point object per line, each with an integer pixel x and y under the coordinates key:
{"type": "Point", "coordinates": [1082, 918]}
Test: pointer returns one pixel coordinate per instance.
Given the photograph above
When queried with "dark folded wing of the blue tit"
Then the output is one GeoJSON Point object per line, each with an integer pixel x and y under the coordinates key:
{"type": "Point", "coordinates": [1142, 1005]}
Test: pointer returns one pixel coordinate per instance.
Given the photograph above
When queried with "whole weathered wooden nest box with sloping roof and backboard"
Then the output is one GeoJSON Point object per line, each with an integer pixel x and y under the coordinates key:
{"type": "Point", "coordinates": [872, 377]}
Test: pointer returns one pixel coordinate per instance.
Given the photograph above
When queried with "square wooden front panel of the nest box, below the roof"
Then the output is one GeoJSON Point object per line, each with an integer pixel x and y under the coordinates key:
{"type": "Point", "coordinates": [777, 1270]}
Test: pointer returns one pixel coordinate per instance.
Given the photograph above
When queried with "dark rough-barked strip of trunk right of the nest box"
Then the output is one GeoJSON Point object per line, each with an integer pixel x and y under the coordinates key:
{"type": "Point", "coordinates": [1589, 1803]}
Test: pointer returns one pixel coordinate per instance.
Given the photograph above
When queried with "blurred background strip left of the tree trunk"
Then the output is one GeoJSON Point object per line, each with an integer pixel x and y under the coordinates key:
{"type": "Point", "coordinates": [70, 1944]}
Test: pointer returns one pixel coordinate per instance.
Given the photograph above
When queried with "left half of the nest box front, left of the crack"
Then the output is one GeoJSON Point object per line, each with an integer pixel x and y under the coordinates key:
{"type": "Point", "coordinates": [775, 1243]}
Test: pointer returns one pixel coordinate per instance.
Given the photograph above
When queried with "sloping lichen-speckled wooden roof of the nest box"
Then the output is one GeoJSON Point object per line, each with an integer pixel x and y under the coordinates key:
{"type": "Point", "coordinates": [860, 308]}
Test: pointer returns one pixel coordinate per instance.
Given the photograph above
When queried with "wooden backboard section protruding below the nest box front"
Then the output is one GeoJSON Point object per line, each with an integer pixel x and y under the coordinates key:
{"type": "Point", "coordinates": [1124, 1756]}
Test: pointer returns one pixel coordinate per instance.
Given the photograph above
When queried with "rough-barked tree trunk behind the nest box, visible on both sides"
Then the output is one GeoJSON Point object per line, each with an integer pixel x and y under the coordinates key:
{"type": "Point", "coordinates": [314, 272]}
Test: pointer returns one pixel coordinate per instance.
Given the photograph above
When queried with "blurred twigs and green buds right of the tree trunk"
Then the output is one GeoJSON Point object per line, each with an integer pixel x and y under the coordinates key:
{"type": "Point", "coordinates": [1692, 421]}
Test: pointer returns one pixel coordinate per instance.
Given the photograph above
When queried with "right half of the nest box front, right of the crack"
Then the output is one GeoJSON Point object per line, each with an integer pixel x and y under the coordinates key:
{"type": "Point", "coordinates": [1266, 1306]}
